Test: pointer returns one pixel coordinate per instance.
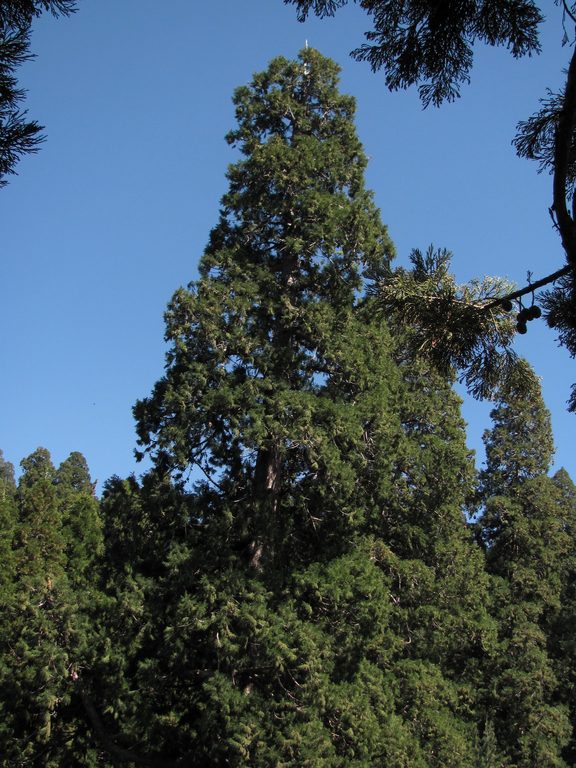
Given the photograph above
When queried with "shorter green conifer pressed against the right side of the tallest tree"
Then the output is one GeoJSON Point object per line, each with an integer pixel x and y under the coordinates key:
{"type": "Point", "coordinates": [439, 582]}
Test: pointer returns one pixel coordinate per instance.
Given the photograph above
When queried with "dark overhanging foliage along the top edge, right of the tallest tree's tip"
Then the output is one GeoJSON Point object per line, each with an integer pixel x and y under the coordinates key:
{"type": "Point", "coordinates": [422, 41]}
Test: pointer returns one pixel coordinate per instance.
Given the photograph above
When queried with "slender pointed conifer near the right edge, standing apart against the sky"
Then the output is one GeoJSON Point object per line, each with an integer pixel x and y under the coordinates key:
{"type": "Point", "coordinates": [524, 532]}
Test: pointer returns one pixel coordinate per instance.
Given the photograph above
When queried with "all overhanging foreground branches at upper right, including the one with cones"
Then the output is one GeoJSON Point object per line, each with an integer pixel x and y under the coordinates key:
{"type": "Point", "coordinates": [430, 44]}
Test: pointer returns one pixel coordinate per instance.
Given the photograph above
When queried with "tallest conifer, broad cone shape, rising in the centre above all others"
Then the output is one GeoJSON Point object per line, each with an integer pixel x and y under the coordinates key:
{"type": "Point", "coordinates": [282, 394]}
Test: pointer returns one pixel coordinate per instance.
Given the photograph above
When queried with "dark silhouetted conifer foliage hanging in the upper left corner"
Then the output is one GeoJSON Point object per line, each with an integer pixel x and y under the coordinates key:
{"type": "Point", "coordinates": [19, 136]}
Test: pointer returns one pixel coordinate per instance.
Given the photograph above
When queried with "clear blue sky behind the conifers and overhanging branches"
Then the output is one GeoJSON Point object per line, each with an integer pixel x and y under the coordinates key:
{"type": "Point", "coordinates": [112, 215]}
